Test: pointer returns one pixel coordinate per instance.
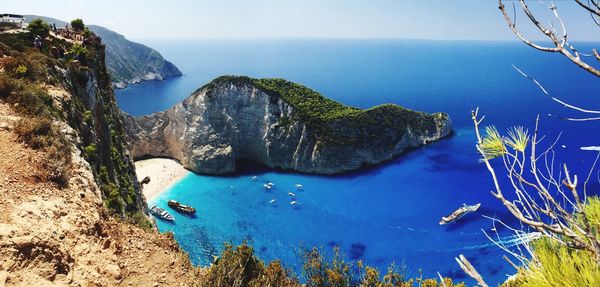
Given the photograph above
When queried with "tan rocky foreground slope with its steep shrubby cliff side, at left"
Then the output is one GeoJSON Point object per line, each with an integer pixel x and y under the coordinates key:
{"type": "Point", "coordinates": [90, 227]}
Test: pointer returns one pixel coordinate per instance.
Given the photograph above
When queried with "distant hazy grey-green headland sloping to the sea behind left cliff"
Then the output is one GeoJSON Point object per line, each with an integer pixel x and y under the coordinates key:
{"type": "Point", "coordinates": [127, 62]}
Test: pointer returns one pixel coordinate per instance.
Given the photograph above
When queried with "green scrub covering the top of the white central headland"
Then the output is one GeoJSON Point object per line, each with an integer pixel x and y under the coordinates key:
{"type": "Point", "coordinates": [333, 121]}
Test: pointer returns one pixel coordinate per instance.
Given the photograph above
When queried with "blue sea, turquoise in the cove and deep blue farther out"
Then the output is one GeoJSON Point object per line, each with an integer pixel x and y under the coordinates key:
{"type": "Point", "coordinates": [388, 213]}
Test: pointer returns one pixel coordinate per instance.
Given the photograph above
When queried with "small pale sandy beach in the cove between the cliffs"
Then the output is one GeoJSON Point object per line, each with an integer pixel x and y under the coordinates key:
{"type": "Point", "coordinates": [163, 173]}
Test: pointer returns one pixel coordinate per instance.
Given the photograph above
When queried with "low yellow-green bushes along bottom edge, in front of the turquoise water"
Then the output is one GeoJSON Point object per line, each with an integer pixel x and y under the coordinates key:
{"type": "Point", "coordinates": [238, 266]}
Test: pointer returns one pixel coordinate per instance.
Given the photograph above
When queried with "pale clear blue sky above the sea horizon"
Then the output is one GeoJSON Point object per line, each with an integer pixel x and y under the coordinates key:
{"type": "Point", "coordinates": [422, 19]}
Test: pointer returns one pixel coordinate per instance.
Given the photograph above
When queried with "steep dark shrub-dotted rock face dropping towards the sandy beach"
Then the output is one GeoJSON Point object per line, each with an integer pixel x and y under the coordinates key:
{"type": "Point", "coordinates": [92, 111]}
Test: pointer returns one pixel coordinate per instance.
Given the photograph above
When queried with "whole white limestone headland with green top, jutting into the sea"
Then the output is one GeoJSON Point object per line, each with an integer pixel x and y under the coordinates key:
{"type": "Point", "coordinates": [237, 118]}
